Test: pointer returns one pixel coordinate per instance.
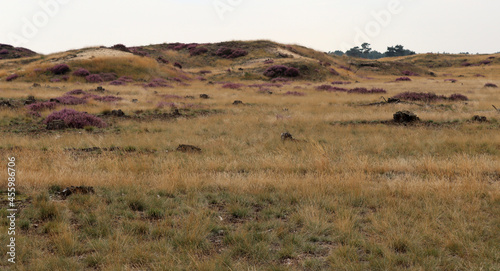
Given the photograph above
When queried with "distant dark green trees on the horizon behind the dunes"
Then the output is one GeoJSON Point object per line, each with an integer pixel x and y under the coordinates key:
{"type": "Point", "coordinates": [366, 52]}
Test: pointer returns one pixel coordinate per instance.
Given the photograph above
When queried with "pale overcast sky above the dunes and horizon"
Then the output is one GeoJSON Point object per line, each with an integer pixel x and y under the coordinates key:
{"type": "Point", "coordinates": [454, 26]}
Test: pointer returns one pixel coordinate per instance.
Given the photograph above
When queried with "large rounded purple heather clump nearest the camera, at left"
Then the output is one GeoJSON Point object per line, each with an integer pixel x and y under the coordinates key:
{"type": "Point", "coordinates": [76, 119]}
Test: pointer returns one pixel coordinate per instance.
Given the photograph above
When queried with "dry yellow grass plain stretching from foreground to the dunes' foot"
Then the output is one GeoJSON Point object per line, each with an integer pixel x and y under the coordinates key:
{"type": "Point", "coordinates": [352, 192]}
